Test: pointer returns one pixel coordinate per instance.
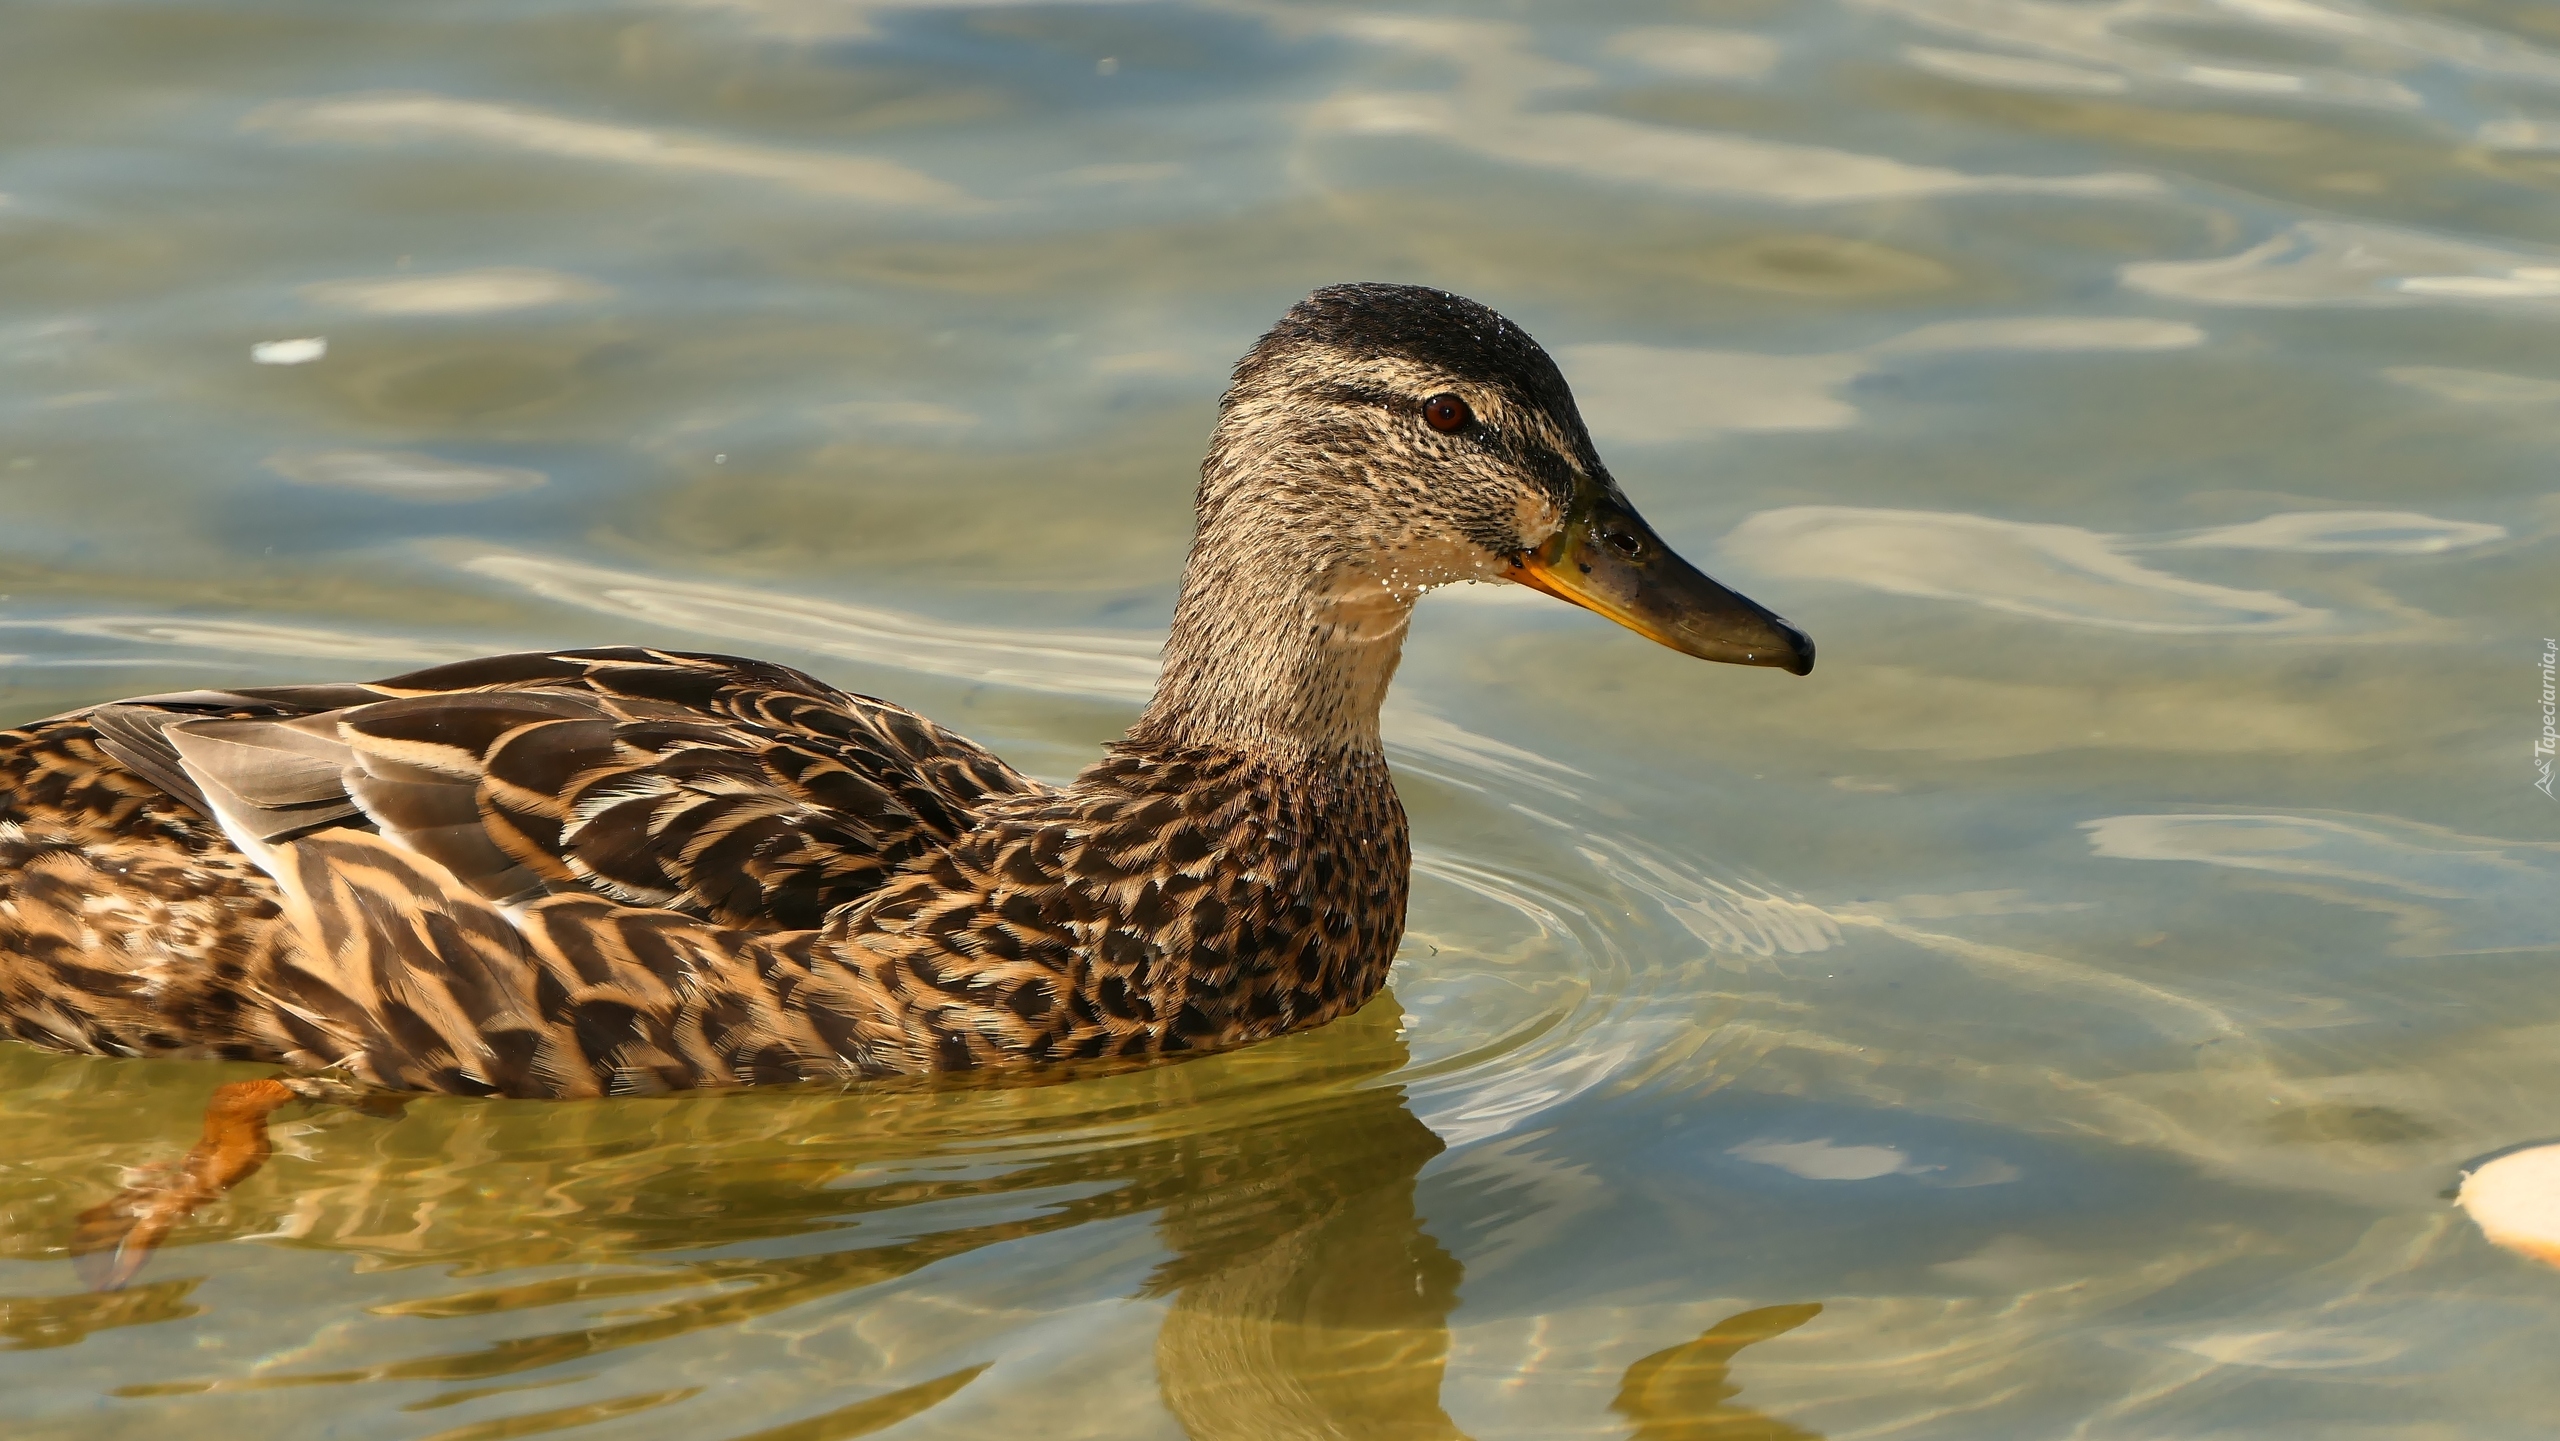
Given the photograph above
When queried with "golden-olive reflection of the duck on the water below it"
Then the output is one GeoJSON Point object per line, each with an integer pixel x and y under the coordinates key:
{"type": "Point", "coordinates": [1307, 1299]}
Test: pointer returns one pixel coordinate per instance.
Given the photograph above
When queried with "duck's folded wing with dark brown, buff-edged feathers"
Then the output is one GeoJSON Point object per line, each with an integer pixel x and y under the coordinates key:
{"type": "Point", "coordinates": [736, 792]}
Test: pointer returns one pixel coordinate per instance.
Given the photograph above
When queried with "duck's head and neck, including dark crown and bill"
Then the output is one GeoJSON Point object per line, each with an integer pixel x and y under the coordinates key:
{"type": "Point", "coordinates": [1384, 442]}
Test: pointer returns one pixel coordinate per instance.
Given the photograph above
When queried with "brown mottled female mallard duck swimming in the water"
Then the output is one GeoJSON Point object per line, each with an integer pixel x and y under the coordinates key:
{"type": "Point", "coordinates": [611, 872]}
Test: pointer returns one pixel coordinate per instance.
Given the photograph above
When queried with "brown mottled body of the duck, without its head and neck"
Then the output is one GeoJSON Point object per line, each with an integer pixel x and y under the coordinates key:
{"type": "Point", "coordinates": [611, 872]}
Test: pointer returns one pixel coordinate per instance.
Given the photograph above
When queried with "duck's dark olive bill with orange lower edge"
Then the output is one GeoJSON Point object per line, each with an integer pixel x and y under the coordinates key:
{"type": "Point", "coordinates": [1606, 559]}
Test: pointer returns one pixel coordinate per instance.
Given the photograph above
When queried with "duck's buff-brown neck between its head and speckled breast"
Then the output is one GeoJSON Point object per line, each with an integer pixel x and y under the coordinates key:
{"type": "Point", "coordinates": [1274, 651]}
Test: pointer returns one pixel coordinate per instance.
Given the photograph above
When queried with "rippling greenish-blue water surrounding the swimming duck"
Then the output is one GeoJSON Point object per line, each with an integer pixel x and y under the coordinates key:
{"type": "Point", "coordinates": [2057, 1017]}
